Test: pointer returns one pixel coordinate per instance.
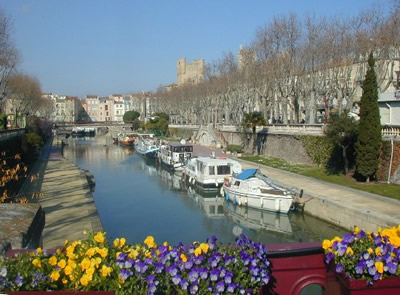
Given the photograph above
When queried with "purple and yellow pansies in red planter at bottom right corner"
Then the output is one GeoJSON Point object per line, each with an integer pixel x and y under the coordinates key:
{"type": "Point", "coordinates": [366, 261]}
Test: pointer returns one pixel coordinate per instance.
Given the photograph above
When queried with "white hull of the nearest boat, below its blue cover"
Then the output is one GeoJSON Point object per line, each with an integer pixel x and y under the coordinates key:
{"type": "Point", "coordinates": [273, 203]}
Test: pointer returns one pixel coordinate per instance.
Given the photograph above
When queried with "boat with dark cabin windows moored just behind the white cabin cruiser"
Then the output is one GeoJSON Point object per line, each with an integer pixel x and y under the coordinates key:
{"type": "Point", "coordinates": [175, 155]}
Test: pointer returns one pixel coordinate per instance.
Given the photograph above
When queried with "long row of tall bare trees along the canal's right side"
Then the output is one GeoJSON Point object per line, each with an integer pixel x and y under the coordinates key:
{"type": "Point", "coordinates": [291, 67]}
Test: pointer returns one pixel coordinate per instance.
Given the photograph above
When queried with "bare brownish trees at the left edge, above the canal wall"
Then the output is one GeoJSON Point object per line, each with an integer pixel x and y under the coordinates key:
{"type": "Point", "coordinates": [22, 92]}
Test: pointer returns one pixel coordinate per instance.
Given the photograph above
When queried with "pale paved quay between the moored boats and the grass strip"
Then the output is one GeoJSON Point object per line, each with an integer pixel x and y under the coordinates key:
{"type": "Point", "coordinates": [339, 205]}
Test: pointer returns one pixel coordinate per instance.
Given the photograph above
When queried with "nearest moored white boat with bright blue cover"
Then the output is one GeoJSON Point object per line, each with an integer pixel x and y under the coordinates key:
{"type": "Point", "coordinates": [253, 189]}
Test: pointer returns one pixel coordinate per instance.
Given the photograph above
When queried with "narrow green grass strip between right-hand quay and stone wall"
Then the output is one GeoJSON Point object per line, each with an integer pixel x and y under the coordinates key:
{"type": "Point", "coordinates": [383, 189]}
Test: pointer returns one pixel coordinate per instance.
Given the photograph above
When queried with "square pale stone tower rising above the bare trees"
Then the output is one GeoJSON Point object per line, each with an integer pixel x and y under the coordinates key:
{"type": "Point", "coordinates": [192, 73]}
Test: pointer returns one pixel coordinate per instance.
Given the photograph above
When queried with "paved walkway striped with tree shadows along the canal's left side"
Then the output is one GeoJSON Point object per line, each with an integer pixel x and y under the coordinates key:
{"type": "Point", "coordinates": [66, 197]}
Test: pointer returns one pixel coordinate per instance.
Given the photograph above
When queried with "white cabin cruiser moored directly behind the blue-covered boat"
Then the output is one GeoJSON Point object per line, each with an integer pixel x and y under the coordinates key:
{"type": "Point", "coordinates": [209, 173]}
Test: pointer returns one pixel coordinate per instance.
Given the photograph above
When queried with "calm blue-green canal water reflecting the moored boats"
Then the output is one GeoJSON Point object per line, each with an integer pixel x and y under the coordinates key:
{"type": "Point", "coordinates": [136, 198]}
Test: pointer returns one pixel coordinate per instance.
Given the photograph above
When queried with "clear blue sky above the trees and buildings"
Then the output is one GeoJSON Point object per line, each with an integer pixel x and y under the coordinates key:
{"type": "Point", "coordinates": [104, 47]}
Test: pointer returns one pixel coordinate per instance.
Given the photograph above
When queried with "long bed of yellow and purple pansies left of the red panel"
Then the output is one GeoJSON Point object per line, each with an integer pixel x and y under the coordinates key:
{"type": "Point", "coordinates": [147, 268]}
